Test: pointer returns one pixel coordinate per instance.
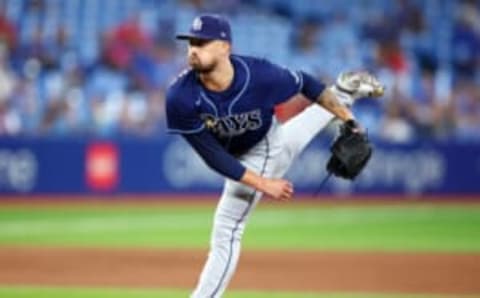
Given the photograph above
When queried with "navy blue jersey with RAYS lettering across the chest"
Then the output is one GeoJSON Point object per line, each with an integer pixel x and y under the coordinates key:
{"type": "Point", "coordinates": [240, 116]}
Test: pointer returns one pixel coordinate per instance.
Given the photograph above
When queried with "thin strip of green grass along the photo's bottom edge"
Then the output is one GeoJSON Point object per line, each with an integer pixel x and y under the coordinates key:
{"type": "Point", "coordinates": [48, 292]}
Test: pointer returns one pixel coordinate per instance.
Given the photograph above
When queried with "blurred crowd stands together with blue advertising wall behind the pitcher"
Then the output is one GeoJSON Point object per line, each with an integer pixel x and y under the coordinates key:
{"type": "Point", "coordinates": [78, 72]}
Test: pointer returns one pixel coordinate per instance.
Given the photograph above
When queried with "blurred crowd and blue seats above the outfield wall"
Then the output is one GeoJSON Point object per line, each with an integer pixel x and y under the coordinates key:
{"type": "Point", "coordinates": [101, 67]}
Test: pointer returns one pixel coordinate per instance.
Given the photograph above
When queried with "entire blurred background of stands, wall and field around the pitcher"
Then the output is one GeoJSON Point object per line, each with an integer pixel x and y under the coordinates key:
{"type": "Point", "coordinates": [82, 90]}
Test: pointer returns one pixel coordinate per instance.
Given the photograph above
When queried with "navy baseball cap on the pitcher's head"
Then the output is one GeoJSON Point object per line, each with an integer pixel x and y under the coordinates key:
{"type": "Point", "coordinates": [209, 27]}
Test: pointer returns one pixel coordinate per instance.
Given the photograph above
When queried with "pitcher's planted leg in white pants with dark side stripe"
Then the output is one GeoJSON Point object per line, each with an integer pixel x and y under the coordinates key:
{"type": "Point", "coordinates": [229, 223]}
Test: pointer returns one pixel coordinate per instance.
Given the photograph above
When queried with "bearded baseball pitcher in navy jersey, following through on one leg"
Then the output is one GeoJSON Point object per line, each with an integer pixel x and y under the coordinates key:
{"type": "Point", "coordinates": [224, 108]}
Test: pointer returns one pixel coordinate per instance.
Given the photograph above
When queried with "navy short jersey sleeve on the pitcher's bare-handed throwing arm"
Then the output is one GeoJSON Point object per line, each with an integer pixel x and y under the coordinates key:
{"type": "Point", "coordinates": [181, 115]}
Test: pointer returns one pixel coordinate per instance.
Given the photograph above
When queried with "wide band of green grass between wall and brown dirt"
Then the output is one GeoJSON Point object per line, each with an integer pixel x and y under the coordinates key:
{"type": "Point", "coordinates": [415, 227]}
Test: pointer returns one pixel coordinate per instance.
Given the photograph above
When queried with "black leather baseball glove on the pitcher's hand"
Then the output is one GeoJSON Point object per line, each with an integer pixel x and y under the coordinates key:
{"type": "Point", "coordinates": [351, 152]}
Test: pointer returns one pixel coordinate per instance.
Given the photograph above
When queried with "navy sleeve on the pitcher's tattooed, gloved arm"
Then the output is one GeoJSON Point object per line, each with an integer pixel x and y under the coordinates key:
{"type": "Point", "coordinates": [285, 83]}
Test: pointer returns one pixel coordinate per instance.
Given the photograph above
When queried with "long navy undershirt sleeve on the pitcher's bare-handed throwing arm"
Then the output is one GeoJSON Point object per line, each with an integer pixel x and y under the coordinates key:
{"type": "Point", "coordinates": [215, 155]}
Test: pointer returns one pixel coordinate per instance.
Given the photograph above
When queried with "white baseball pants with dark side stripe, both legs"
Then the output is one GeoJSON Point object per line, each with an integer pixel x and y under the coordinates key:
{"type": "Point", "coordinates": [270, 158]}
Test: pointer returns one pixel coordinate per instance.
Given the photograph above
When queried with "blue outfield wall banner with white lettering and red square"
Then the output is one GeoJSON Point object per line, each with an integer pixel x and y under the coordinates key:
{"type": "Point", "coordinates": [141, 166]}
